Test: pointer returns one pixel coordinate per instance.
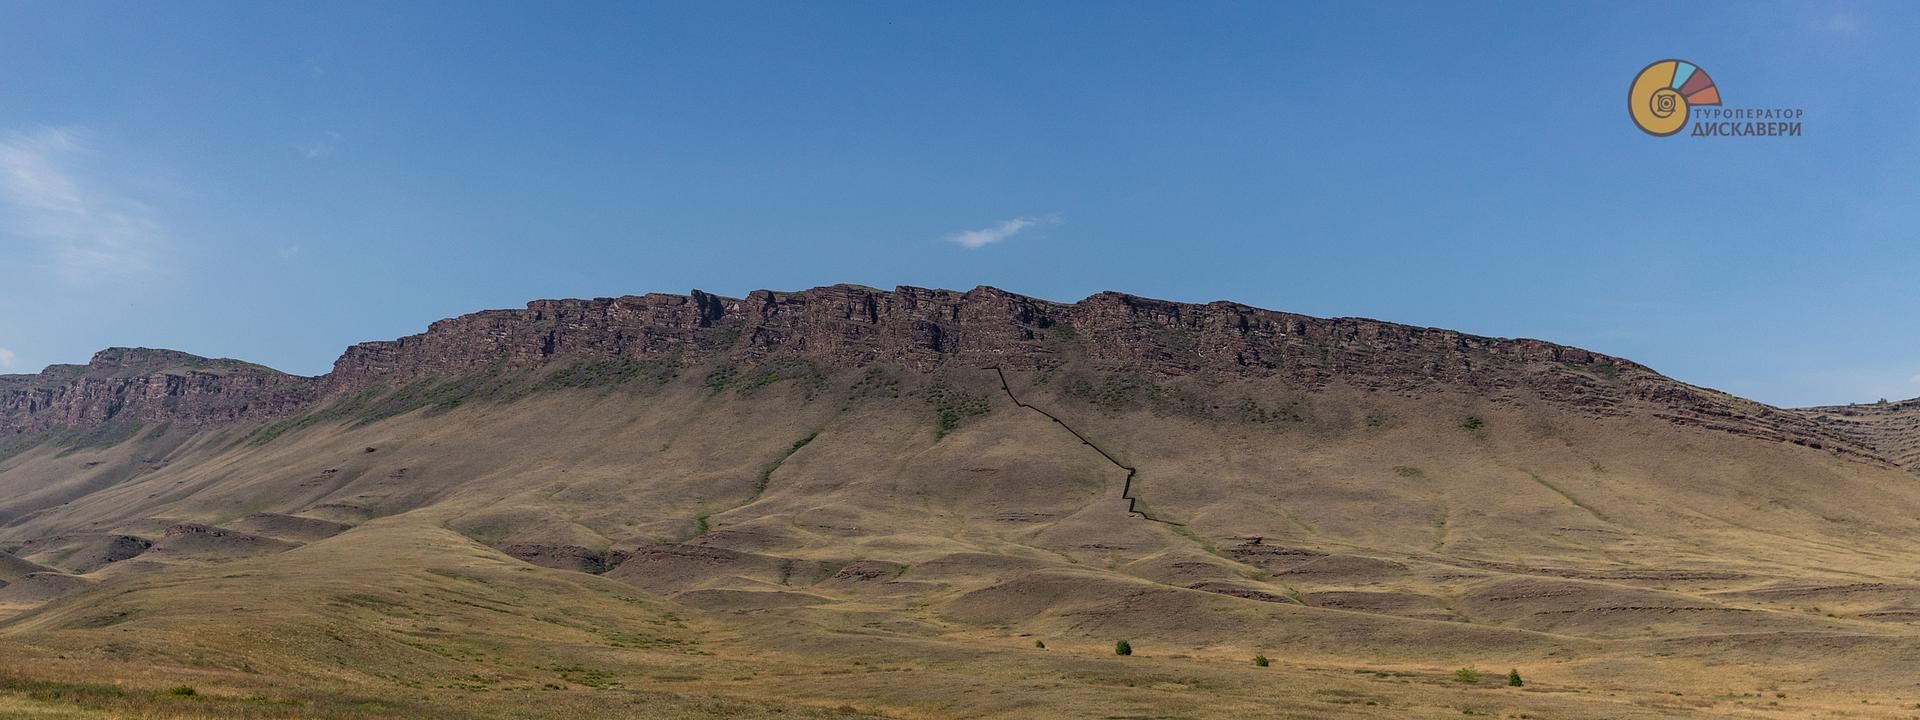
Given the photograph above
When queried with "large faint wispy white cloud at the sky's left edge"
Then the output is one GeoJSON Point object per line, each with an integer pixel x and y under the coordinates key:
{"type": "Point", "coordinates": [80, 224]}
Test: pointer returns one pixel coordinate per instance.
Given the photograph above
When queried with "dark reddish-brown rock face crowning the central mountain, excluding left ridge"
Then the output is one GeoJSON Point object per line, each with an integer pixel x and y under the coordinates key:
{"type": "Point", "coordinates": [926, 329]}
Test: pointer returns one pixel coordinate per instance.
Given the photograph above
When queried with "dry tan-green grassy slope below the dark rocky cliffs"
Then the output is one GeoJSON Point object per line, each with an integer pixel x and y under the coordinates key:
{"type": "Point", "coordinates": [896, 571]}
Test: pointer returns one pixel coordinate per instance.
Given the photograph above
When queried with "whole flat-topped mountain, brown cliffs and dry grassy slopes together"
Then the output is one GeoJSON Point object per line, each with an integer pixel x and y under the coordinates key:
{"type": "Point", "coordinates": [702, 506]}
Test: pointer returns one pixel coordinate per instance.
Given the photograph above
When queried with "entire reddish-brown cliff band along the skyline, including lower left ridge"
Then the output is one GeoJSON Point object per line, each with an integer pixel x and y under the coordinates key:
{"type": "Point", "coordinates": [907, 327]}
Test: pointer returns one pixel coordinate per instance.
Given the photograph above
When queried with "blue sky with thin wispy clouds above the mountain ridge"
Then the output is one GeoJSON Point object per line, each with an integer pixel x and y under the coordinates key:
{"type": "Point", "coordinates": [276, 181]}
